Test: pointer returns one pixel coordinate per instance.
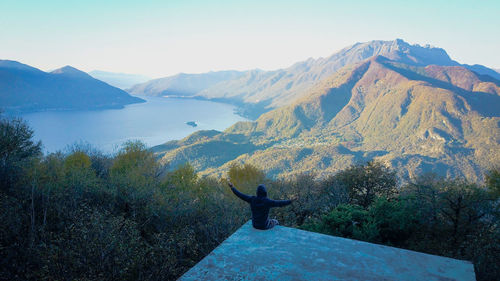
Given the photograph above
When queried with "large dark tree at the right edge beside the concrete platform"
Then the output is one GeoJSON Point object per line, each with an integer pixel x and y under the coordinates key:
{"type": "Point", "coordinates": [457, 219]}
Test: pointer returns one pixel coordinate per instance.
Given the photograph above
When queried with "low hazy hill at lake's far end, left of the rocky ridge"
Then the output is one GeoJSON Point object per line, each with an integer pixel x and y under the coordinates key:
{"type": "Point", "coordinates": [183, 84]}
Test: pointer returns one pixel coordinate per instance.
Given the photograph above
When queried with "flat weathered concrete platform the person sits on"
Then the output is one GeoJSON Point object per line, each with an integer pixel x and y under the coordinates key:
{"type": "Point", "coordinates": [285, 253]}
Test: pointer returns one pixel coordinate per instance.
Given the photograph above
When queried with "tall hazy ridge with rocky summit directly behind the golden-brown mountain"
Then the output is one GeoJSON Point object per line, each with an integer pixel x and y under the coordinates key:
{"type": "Point", "coordinates": [273, 89]}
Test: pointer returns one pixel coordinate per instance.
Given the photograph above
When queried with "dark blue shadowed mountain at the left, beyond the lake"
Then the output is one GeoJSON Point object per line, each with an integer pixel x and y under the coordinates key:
{"type": "Point", "coordinates": [25, 88]}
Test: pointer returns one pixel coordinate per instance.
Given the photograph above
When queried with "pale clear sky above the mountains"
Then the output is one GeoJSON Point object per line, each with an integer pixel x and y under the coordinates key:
{"type": "Point", "coordinates": [162, 38]}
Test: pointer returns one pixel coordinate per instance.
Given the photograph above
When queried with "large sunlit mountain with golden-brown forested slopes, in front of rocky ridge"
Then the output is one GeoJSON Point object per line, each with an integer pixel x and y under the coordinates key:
{"type": "Point", "coordinates": [442, 119]}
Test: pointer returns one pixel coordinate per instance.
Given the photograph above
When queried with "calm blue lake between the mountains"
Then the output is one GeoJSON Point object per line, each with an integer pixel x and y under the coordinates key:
{"type": "Point", "coordinates": [154, 122]}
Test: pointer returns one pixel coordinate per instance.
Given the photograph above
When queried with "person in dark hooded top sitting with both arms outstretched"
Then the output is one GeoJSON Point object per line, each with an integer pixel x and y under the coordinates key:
{"type": "Point", "coordinates": [260, 206]}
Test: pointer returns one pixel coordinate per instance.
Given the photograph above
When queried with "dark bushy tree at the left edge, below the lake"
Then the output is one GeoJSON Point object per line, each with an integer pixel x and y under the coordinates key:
{"type": "Point", "coordinates": [17, 149]}
